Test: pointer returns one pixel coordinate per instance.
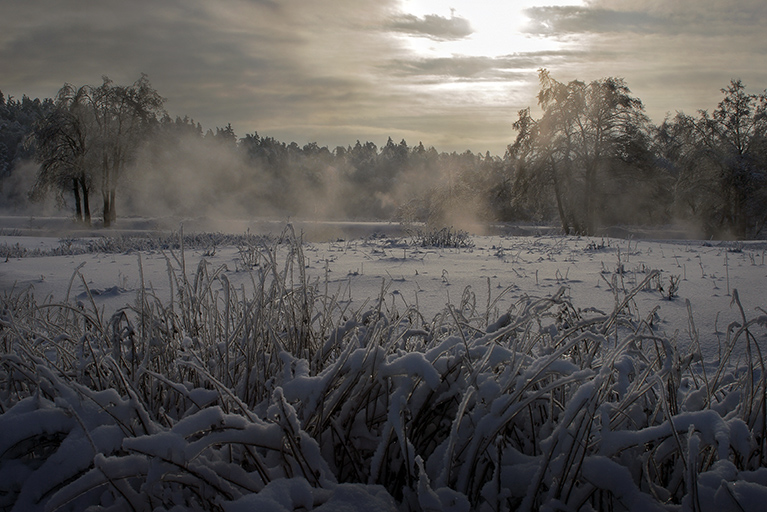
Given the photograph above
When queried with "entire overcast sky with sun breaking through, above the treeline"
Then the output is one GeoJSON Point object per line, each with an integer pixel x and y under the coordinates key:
{"type": "Point", "coordinates": [452, 74]}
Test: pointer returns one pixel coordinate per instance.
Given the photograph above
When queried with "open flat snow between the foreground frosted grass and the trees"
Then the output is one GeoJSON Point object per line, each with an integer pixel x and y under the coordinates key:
{"type": "Point", "coordinates": [498, 271]}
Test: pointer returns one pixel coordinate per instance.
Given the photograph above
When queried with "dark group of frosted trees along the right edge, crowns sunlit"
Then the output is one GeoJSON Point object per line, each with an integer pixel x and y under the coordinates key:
{"type": "Point", "coordinates": [594, 159]}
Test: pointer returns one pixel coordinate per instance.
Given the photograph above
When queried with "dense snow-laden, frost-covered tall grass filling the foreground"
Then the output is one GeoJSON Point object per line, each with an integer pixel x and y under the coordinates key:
{"type": "Point", "coordinates": [279, 396]}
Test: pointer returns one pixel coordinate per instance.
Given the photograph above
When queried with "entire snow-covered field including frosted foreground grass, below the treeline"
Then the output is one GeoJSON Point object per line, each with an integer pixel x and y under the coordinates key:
{"type": "Point", "coordinates": [512, 372]}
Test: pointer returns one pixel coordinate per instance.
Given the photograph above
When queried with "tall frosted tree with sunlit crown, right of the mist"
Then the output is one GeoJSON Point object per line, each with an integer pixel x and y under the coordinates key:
{"type": "Point", "coordinates": [590, 137]}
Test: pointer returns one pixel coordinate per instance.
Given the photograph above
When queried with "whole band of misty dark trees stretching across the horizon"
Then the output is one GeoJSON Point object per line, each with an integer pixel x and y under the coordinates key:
{"type": "Point", "coordinates": [592, 159]}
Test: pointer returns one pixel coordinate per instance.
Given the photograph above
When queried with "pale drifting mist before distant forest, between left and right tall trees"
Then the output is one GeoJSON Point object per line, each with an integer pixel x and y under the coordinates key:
{"type": "Point", "coordinates": [215, 180]}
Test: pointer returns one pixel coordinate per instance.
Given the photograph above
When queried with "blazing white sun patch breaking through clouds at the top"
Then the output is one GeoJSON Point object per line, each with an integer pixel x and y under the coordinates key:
{"type": "Point", "coordinates": [499, 27]}
